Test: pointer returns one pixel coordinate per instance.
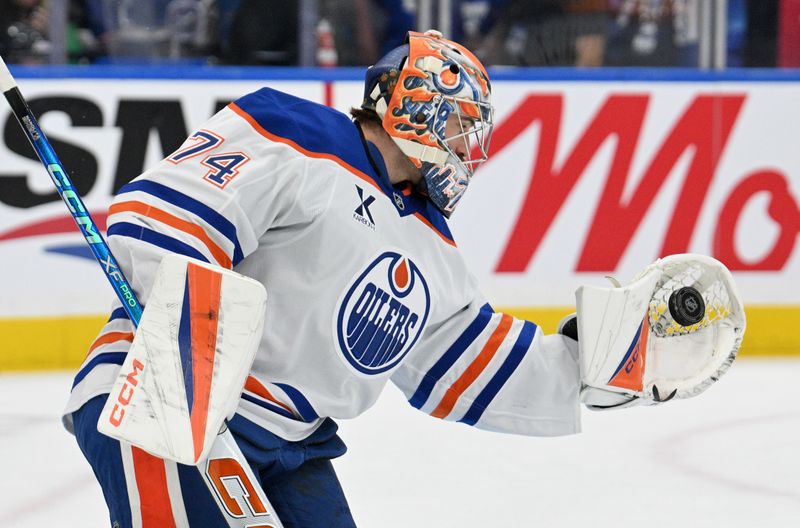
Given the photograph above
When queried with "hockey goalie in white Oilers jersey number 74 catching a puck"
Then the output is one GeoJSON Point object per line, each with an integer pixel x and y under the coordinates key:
{"type": "Point", "coordinates": [307, 254]}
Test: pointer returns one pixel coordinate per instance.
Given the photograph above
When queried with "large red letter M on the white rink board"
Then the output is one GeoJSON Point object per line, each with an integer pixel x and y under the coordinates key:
{"type": "Point", "coordinates": [616, 219]}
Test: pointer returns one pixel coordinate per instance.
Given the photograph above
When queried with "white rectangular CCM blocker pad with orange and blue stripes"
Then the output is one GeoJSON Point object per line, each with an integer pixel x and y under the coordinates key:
{"type": "Point", "coordinates": [190, 357]}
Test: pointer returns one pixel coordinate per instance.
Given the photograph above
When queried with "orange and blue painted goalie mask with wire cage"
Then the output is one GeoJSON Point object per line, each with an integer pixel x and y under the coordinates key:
{"type": "Point", "coordinates": [415, 89]}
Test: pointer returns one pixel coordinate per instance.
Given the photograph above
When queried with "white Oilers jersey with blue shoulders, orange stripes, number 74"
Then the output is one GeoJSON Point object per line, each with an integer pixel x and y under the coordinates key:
{"type": "Point", "coordinates": [365, 283]}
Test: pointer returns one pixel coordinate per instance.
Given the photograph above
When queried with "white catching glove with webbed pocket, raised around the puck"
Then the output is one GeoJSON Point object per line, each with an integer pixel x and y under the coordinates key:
{"type": "Point", "coordinates": [632, 348]}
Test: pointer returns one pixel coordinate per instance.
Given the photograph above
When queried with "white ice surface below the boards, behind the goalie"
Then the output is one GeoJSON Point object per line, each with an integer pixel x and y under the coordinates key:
{"type": "Point", "coordinates": [730, 458]}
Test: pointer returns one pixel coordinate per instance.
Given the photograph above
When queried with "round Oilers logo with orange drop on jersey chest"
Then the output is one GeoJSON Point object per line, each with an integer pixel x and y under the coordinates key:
{"type": "Point", "coordinates": [382, 313]}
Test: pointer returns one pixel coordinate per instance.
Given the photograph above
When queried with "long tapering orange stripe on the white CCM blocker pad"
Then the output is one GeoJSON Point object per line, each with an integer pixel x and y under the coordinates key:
{"type": "Point", "coordinates": [204, 293]}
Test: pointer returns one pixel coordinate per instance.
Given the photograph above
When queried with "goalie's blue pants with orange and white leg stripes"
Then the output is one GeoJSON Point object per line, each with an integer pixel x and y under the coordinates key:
{"type": "Point", "coordinates": [148, 492]}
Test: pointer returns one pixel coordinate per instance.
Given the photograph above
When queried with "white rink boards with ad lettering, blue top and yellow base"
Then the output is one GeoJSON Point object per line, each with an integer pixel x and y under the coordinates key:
{"type": "Point", "coordinates": [592, 174]}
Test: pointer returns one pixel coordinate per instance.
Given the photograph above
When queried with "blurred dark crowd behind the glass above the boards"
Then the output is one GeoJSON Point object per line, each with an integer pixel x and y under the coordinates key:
{"type": "Point", "coordinates": [357, 32]}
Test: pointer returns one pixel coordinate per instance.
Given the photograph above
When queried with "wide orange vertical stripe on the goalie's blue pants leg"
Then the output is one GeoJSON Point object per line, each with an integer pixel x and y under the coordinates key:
{"type": "Point", "coordinates": [151, 481]}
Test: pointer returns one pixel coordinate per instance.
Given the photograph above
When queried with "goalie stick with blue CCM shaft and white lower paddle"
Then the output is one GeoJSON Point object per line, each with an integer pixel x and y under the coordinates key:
{"type": "Point", "coordinates": [252, 514]}
